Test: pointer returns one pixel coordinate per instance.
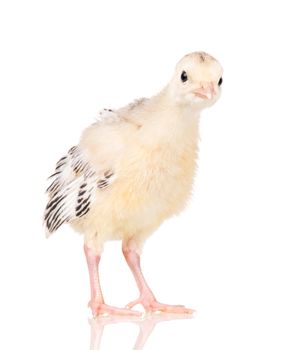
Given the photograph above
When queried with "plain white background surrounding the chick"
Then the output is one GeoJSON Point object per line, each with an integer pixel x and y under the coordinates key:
{"type": "Point", "coordinates": [62, 61]}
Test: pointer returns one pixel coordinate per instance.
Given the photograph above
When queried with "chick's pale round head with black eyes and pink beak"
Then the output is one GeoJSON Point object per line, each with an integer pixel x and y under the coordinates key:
{"type": "Point", "coordinates": [197, 81]}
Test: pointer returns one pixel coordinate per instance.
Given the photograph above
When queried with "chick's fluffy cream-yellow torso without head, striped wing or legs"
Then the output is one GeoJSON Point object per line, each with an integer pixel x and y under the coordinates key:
{"type": "Point", "coordinates": [152, 151]}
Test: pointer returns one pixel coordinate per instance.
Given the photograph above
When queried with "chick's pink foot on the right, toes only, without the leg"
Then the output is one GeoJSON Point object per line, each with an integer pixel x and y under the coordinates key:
{"type": "Point", "coordinates": [152, 305]}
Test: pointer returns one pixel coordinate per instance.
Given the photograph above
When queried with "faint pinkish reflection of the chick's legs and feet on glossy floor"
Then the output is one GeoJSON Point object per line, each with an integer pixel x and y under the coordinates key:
{"type": "Point", "coordinates": [146, 326]}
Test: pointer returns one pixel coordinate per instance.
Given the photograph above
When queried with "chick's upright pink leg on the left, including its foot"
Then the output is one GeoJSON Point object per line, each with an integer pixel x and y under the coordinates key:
{"type": "Point", "coordinates": [97, 303]}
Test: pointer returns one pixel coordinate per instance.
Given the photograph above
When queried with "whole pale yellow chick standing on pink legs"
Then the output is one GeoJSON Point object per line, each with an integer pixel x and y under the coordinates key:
{"type": "Point", "coordinates": [131, 170]}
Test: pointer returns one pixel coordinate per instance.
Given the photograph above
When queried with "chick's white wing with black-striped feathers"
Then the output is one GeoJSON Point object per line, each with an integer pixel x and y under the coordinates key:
{"type": "Point", "coordinates": [72, 191]}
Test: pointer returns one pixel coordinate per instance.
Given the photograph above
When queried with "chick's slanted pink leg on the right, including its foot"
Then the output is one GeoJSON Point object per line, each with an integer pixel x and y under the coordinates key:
{"type": "Point", "coordinates": [147, 298]}
